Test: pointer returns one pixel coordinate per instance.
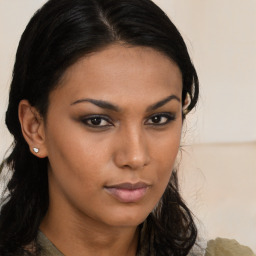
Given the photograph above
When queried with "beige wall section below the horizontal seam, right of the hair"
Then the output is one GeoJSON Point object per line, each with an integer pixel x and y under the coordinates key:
{"type": "Point", "coordinates": [218, 181]}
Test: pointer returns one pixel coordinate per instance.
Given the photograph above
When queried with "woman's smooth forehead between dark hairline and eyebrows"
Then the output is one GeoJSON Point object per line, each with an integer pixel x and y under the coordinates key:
{"type": "Point", "coordinates": [122, 73]}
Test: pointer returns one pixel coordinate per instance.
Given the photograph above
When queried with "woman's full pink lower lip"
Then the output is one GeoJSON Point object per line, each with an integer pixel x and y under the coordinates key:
{"type": "Point", "coordinates": [127, 195]}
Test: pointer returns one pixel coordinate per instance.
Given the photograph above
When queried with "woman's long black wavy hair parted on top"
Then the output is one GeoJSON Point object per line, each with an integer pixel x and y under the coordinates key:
{"type": "Point", "coordinates": [60, 33]}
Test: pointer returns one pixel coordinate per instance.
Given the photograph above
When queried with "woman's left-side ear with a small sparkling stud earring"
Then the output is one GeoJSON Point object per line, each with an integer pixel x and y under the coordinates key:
{"type": "Point", "coordinates": [33, 130]}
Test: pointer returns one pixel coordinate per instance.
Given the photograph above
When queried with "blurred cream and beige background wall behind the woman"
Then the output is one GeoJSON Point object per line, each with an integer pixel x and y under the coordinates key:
{"type": "Point", "coordinates": [217, 162]}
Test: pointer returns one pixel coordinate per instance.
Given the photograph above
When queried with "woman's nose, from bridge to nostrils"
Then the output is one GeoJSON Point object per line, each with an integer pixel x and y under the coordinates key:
{"type": "Point", "coordinates": [132, 151]}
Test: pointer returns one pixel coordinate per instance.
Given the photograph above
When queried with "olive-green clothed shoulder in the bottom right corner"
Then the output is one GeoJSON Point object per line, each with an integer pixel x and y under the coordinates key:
{"type": "Point", "coordinates": [227, 247]}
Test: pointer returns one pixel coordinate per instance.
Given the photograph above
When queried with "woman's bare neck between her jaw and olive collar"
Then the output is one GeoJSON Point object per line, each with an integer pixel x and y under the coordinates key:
{"type": "Point", "coordinates": [73, 233]}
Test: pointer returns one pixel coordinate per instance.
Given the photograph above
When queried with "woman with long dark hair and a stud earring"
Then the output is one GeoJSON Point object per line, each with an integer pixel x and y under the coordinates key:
{"type": "Point", "coordinates": [99, 93]}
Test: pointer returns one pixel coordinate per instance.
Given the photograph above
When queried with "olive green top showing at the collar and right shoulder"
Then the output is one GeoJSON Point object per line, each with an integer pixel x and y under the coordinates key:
{"type": "Point", "coordinates": [217, 247]}
